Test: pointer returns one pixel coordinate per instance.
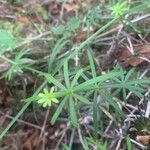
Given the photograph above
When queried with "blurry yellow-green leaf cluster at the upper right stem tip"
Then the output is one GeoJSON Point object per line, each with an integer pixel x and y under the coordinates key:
{"type": "Point", "coordinates": [119, 9]}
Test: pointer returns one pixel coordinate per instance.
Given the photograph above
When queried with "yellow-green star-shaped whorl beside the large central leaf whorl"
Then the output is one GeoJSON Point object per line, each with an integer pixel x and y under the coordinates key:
{"type": "Point", "coordinates": [47, 97]}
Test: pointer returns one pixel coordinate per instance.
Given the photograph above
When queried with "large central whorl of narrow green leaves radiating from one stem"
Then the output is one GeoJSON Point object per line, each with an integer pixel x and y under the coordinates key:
{"type": "Point", "coordinates": [71, 90]}
